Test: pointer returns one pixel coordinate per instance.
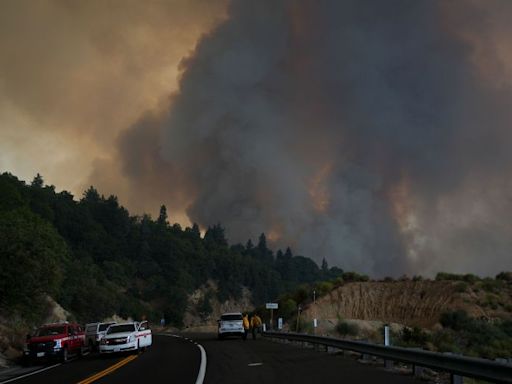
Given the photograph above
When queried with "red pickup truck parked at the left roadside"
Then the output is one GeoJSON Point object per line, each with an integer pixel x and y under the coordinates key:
{"type": "Point", "coordinates": [59, 340]}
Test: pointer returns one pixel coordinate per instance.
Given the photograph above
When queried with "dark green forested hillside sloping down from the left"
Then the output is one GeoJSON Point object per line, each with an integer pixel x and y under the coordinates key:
{"type": "Point", "coordinates": [97, 260]}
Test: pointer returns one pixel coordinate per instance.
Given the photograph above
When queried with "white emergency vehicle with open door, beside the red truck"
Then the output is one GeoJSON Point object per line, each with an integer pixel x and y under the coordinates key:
{"type": "Point", "coordinates": [124, 337]}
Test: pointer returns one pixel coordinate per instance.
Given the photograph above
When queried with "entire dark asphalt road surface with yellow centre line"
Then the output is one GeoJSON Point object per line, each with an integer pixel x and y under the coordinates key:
{"type": "Point", "coordinates": [230, 361]}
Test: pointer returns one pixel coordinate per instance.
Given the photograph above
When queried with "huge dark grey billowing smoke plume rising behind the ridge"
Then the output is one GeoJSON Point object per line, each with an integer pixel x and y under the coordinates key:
{"type": "Point", "coordinates": [375, 134]}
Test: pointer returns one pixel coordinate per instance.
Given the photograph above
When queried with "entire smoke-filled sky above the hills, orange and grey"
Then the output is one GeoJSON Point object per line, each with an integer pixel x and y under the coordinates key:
{"type": "Point", "coordinates": [373, 134]}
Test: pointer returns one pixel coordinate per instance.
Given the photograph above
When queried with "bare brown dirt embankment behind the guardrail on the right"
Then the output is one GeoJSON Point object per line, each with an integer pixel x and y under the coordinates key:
{"type": "Point", "coordinates": [412, 303]}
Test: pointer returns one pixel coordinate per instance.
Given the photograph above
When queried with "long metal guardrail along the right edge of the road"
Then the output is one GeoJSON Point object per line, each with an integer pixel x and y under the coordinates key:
{"type": "Point", "coordinates": [459, 365]}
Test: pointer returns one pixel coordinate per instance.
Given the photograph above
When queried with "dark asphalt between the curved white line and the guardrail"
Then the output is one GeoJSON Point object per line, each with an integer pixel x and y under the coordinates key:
{"type": "Point", "coordinates": [235, 361]}
